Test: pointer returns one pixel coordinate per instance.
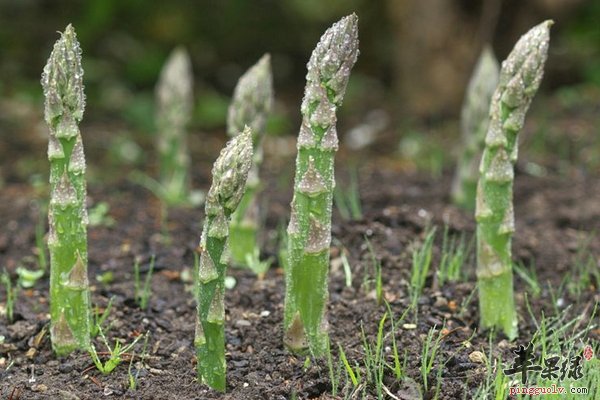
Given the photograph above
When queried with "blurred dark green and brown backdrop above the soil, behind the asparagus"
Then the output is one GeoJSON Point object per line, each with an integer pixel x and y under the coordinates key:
{"type": "Point", "coordinates": [406, 89]}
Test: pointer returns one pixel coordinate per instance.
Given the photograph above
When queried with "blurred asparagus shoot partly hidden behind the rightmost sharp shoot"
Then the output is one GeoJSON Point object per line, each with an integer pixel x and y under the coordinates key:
{"type": "Point", "coordinates": [474, 123]}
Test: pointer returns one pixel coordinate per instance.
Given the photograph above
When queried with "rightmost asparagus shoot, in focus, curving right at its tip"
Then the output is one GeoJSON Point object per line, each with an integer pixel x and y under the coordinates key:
{"type": "Point", "coordinates": [519, 80]}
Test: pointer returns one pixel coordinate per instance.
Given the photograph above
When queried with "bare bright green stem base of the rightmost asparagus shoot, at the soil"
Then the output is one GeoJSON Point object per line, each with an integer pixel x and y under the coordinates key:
{"type": "Point", "coordinates": [497, 305]}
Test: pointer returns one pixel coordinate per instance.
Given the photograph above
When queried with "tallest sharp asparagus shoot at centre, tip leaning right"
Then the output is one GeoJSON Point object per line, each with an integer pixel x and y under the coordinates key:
{"type": "Point", "coordinates": [309, 228]}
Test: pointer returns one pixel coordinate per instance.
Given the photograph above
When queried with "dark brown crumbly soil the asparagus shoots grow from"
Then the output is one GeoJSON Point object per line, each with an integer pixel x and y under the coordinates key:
{"type": "Point", "coordinates": [553, 215]}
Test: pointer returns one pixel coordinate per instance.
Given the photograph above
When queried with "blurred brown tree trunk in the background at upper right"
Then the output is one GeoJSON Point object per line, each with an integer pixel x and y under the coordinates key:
{"type": "Point", "coordinates": [436, 42]}
